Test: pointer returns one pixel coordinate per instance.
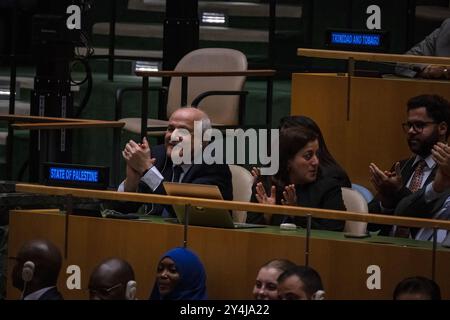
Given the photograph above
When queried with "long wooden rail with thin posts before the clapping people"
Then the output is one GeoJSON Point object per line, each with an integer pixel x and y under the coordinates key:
{"type": "Point", "coordinates": [233, 205]}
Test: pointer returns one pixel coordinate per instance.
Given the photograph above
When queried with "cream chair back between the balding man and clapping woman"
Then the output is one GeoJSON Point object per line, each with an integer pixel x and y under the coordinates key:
{"type": "Point", "coordinates": [242, 181]}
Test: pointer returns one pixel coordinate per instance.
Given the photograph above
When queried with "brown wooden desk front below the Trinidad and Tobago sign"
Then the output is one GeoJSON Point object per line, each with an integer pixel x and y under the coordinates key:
{"type": "Point", "coordinates": [361, 125]}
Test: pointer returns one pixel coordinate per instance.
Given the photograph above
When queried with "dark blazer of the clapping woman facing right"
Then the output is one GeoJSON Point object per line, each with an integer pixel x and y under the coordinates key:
{"type": "Point", "coordinates": [324, 193]}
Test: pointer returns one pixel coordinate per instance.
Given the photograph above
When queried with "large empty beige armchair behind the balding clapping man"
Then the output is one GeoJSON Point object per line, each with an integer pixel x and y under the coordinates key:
{"type": "Point", "coordinates": [222, 107]}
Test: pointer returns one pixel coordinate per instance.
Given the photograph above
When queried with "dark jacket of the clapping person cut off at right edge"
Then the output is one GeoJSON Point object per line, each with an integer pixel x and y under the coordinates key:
{"type": "Point", "coordinates": [415, 206]}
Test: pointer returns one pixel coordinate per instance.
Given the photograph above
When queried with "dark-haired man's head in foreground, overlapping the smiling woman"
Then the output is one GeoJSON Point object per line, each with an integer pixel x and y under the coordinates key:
{"type": "Point", "coordinates": [300, 283]}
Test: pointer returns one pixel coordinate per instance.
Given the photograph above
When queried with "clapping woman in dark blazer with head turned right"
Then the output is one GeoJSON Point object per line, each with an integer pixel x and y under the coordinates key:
{"type": "Point", "coordinates": [299, 181]}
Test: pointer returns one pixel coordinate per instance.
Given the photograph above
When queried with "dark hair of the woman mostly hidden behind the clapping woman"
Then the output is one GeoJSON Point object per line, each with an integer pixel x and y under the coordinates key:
{"type": "Point", "coordinates": [325, 157]}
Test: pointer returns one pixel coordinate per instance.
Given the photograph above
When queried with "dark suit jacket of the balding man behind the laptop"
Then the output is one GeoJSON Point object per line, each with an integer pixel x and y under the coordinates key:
{"type": "Point", "coordinates": [214, 174]}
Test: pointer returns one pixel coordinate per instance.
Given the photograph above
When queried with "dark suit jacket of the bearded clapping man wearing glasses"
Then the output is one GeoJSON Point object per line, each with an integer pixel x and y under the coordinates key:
{"type": "Point", "coordinates": [407, 170]}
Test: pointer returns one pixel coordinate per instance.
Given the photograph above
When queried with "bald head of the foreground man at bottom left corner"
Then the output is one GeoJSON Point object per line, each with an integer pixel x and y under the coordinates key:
{"type": "Point", "coordinates": [47, 261]}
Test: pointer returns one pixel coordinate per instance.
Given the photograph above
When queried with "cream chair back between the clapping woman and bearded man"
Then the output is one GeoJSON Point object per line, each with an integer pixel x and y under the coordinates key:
{"type": "Point", "coordinates": [354, 202]}
